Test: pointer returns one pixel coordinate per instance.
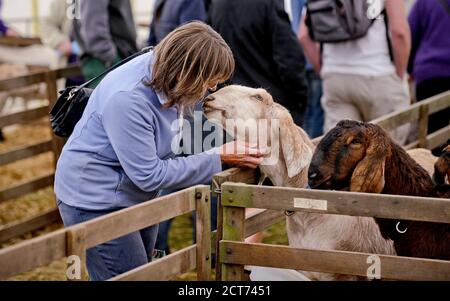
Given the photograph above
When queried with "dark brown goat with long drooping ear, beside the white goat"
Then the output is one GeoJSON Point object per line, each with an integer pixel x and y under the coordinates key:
{"type": "Point", "coordinates": [361, 157]}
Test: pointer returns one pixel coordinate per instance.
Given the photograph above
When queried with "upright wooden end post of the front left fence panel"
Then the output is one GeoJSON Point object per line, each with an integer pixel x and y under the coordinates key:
{"type": "Point", "coordinates": [203, 233]}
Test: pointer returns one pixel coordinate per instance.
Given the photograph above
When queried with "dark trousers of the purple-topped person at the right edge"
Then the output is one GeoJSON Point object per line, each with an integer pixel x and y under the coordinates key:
{"type": "Point", "coordinates": [429, 88]}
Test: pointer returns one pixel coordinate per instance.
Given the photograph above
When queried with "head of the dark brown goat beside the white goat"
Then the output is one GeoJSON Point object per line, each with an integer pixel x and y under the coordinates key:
{"type": "Point", "coordinates": [351, 156]}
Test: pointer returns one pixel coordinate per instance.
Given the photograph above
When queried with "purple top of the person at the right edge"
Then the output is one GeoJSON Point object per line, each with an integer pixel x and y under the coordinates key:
{"type": "Point", "coordinates": [430, 55]}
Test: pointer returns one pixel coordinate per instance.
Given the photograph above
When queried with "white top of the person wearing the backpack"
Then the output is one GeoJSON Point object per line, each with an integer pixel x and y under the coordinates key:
{"type": "Point", "coordinates": [368, 55]}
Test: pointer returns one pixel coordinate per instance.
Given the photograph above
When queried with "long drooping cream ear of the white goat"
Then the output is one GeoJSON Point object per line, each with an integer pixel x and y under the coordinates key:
{"type": "Point", "coordinates": [296, 151]}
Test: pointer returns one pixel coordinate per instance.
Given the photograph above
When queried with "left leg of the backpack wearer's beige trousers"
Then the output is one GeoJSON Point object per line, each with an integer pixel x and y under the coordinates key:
{"type": "Point", "coordinates": [337, 100]}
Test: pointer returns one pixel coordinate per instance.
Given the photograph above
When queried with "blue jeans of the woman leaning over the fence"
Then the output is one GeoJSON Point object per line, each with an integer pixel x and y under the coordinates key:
{"type": "Point", "coordinates": [116, 256]}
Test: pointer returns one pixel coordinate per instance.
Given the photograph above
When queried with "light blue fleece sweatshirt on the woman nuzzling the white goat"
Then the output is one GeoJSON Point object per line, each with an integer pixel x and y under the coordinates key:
{"type": "Point", "coordinates": [120, 151]}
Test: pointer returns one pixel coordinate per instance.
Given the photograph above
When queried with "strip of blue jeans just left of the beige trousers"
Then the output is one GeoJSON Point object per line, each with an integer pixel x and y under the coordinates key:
{"type": "Point", "coordinates": [314, 117]}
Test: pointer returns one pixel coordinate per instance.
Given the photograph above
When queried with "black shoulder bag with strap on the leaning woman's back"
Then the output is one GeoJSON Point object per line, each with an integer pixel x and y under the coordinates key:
{"type": "Point", "coordinates": [70, 105]}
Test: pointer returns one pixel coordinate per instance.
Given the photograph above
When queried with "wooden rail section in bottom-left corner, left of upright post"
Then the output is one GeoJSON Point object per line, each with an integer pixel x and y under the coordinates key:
{"type": "Point", "coordinates": [33, 253]}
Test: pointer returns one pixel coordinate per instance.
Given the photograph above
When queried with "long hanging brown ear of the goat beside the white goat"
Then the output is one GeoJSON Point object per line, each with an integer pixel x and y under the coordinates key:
{"type": "Point", "coordinates": [368, 175]}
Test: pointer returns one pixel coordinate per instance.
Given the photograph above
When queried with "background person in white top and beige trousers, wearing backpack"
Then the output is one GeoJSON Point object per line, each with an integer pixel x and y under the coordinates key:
{"type": "Point", "coordinates": [361, 80]}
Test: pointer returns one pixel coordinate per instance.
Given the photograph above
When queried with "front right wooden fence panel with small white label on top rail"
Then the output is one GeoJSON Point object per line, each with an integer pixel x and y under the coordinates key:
{"type": "Point", "coordinates": [234, 254]}
